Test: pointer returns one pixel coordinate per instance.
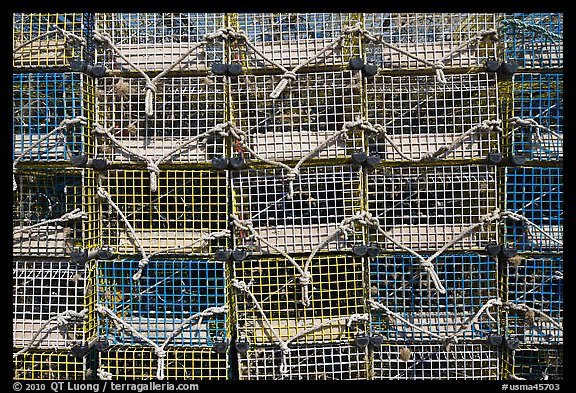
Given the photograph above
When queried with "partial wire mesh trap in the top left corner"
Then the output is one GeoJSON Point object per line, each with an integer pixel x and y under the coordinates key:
{"type": "Point", "coordinates": [44, 41]}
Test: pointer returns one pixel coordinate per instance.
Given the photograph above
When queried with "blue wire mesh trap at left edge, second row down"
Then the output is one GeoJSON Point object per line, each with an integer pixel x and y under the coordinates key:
{"type": "Point", "coordinates": [41, 102]}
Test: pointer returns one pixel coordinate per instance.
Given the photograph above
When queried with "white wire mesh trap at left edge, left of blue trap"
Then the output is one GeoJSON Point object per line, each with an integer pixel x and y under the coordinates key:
{"type": "Point", "coordinates": [43, 289]}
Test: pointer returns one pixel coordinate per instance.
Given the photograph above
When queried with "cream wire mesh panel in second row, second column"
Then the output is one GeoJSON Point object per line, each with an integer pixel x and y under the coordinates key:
{"type": "Point", "coordinates": [184, 107]}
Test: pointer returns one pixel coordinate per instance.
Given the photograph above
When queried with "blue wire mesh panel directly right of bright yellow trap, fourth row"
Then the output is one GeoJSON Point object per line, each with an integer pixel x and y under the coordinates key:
{"type": "Point", "coordinates": [399, 284]}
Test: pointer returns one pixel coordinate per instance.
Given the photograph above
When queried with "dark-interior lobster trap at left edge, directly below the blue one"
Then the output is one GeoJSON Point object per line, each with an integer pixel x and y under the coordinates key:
{"type": "Point", "coordinates": [54, 212]}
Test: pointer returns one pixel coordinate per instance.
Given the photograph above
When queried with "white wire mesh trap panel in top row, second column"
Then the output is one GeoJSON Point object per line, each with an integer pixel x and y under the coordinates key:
{"type": "Point", "coordinates": [154, 41]}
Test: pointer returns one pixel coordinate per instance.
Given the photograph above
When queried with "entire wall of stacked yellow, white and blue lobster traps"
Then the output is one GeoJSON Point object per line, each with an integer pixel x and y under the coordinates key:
{"type": "Point", "coordinates": [287, 196]}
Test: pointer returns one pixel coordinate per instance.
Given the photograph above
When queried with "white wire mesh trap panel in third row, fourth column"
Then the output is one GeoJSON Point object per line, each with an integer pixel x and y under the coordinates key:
{"type": "Point", "coordinates": [426, 207]}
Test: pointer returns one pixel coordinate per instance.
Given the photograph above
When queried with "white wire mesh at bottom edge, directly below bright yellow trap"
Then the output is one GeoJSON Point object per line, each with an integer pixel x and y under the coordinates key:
{"type": "Point", "coordinates": [305, 362]}
